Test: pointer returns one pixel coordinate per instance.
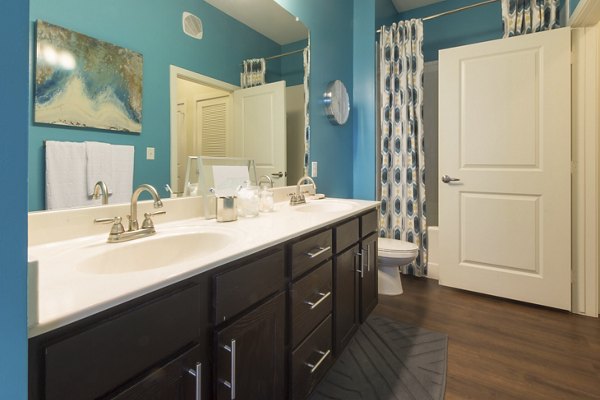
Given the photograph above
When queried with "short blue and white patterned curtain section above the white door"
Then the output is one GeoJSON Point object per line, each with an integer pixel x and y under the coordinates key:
{"type": "Point", "coordinates": [521, 17]}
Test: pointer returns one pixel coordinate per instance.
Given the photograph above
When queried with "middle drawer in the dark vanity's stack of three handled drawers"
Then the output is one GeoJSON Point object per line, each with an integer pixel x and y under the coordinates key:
{"type": "Point", "coordinates": [311, 301]}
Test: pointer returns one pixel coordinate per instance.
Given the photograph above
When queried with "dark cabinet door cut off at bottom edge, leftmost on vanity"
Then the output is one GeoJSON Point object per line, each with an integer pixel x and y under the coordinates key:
{"type": "Point", "coordinates": [180, 379]}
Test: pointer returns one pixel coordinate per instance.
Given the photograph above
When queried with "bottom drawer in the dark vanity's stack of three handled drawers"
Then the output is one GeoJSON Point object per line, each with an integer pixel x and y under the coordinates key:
{"type": "Point", "coordinates": [311, 360]}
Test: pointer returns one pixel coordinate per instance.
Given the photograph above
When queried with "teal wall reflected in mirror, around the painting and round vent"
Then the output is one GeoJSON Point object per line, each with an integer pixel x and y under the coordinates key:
{"type": "Point", "coordinates": [153, 28]}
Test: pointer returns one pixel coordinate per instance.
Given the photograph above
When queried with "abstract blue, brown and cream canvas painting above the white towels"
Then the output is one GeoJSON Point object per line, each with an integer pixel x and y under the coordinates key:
{"type": "Point", "coordinates": [84, 82]}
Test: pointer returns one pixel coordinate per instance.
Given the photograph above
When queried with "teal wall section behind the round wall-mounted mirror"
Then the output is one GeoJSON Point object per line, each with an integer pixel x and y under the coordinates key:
{"type": "Point", "coordinates": [331, 58]}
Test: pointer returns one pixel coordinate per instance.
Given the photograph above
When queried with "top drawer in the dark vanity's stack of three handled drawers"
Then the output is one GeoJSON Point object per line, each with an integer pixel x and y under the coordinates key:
{"type": "Point", "coordinates": [310, 252]}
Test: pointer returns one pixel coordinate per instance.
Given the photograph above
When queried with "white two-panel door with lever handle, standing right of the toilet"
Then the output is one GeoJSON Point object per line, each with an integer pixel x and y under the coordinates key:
{"type": "Point", "coordinates": [505, 132]}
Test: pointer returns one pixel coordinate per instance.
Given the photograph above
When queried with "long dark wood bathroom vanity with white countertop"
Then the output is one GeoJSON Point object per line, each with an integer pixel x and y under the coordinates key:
{"type": "Point", "coordinates": [264, 319]}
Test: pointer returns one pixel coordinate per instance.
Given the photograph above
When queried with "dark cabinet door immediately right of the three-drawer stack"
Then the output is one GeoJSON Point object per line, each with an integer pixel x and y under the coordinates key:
{"type": "Point", "coordinates": [345, 297]}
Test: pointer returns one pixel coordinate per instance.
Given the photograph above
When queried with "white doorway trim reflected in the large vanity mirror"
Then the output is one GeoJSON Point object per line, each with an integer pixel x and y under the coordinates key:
{"type": "Point", "coordinates": [181, 73]}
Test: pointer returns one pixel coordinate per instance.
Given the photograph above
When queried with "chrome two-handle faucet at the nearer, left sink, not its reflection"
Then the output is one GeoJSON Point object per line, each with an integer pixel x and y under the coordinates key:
{"type": "Point", "coordinates": [118, 234]}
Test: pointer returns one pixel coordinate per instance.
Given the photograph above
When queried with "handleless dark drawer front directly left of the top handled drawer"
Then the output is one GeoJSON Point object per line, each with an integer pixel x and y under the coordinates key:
{"type": "Point", "coordinates": [240, 288]}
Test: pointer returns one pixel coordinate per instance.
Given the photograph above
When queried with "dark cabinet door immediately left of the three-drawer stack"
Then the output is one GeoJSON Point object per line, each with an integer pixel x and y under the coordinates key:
{"type": "Point", "coordinates": [250, 355]}
